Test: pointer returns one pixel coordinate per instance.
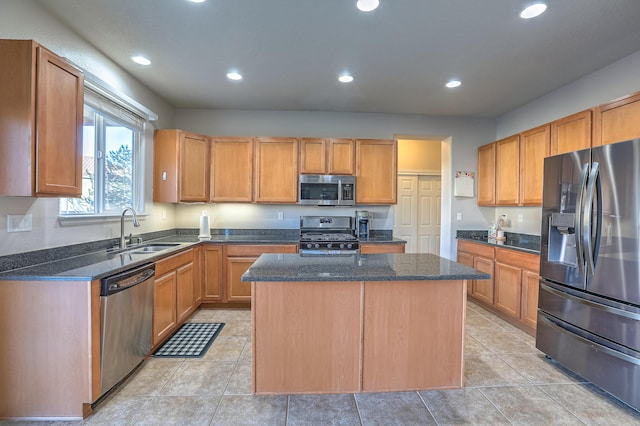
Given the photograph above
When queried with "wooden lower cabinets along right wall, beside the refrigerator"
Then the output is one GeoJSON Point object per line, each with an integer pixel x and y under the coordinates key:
{"type": "Point", "coordinates": [513, 290]}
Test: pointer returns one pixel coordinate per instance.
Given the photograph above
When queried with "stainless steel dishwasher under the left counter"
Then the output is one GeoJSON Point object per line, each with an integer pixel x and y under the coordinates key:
{"type": "Point", "coordinates": [126, 312]}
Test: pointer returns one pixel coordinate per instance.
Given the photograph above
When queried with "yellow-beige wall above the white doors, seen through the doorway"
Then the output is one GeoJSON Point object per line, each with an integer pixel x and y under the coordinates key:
{"type": "Point", "coordinates": [419, 156]}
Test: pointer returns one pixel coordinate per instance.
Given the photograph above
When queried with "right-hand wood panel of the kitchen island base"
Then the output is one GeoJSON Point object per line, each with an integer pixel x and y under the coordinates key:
{"type": "Point", "coordinates": [413, 335]}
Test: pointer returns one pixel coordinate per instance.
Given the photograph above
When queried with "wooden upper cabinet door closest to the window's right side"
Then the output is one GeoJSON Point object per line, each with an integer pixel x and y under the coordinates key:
{"type": "Point", "coordinates": [194, 168]}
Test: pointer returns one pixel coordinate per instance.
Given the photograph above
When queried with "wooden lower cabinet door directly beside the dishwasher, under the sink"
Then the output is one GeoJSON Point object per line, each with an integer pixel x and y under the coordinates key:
{"type": "Point", "coordinates": [164, 306]}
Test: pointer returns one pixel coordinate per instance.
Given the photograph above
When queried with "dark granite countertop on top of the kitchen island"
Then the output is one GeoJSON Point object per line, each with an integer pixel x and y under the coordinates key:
{"type": "Point", "coordinates": [363, 267]}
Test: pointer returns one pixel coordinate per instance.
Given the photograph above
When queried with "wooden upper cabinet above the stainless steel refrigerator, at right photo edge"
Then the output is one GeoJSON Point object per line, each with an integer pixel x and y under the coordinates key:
{"type": "Point", "coordinates": [618, 121]}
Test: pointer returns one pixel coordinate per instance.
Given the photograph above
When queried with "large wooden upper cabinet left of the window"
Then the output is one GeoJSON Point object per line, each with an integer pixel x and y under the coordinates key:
{"type": "Point", "coordinates": [41, 113]}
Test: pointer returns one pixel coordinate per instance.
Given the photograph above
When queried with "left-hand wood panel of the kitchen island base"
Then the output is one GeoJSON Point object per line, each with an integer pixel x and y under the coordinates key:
{"type": "Point", "coordinates": [306, 337]}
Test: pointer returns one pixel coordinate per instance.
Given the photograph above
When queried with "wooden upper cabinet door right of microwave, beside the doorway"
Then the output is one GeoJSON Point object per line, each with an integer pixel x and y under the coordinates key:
{"type": "Point", "coordinates": [376, 171]}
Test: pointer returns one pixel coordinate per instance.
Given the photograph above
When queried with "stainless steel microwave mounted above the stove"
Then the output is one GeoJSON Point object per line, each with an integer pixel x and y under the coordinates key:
{"type": "Point", "coordinates": [327, 190]}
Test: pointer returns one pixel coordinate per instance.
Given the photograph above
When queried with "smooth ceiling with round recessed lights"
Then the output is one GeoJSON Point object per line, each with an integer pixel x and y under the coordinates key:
{"type": "Point", "coordinates": [292, 51]}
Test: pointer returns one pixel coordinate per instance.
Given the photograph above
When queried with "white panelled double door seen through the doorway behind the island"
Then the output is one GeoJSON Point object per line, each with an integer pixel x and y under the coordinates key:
{"type": "Point", "coordinates": [417, 215]}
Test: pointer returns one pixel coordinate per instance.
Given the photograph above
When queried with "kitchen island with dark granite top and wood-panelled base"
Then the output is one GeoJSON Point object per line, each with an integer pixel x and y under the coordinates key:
{"type": "Point", "coordinates": [359, 323]}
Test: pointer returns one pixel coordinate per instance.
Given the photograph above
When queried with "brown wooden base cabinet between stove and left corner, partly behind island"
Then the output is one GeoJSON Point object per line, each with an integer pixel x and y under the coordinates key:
{"type": "Point", "coordinates": [237, 259]}
